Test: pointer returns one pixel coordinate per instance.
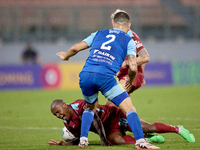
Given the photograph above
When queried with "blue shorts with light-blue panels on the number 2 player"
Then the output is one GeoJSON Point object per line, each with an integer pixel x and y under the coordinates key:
{"type": "Point", "coordinates": [91, 83]}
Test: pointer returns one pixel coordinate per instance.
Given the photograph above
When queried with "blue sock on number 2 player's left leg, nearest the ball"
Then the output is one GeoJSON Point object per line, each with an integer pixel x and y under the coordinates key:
{"type": "Point", "coordinates": [87, 119]}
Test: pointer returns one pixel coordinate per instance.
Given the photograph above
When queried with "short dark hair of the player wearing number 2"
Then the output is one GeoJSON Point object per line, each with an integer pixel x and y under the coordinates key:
{"type": "Point", "coordinates": [121, 18]}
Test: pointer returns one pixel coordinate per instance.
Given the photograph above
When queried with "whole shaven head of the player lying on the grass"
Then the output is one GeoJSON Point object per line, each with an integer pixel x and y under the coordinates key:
{"type": "Point", "coordinates": [61, 109]}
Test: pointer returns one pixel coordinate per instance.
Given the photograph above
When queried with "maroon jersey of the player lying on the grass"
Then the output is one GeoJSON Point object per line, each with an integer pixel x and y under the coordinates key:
{"type": "Point", "coordinates": [112, 118]}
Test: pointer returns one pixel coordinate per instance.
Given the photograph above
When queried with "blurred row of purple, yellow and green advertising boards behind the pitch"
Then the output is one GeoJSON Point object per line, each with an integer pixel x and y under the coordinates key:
{"type": "Point", "coordinates": [65, 76]}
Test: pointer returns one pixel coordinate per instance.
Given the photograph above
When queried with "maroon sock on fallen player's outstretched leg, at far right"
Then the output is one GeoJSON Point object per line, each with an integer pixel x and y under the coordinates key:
{"type": "Point", "coordinates": [163, 128]}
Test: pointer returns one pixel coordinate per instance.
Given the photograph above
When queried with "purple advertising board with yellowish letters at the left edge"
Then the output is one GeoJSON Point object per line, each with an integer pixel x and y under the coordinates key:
{"type": "Point", "coordinates": [20, 77]}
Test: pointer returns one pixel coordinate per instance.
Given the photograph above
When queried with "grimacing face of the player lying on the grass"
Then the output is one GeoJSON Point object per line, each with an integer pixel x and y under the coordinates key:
{"type": "Point", "coordinates": [62, 112]}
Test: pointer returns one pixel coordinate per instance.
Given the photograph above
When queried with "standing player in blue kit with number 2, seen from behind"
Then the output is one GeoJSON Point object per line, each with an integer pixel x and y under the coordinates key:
{"type": "Point", "coordinates": [108, 51]}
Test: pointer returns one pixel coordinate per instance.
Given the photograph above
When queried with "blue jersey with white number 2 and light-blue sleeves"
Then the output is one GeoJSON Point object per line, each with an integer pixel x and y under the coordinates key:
{"type": "Point", "coordinates": [108, 51]}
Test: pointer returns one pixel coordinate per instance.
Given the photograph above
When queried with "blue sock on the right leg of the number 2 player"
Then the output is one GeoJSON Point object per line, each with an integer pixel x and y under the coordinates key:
{"type": "Point", "coordinates": [135, 124]}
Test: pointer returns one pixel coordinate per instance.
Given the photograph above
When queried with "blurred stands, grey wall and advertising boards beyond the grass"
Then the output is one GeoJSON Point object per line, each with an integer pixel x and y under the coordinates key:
{"type": "Point", "coordinates": [169, 29]}
